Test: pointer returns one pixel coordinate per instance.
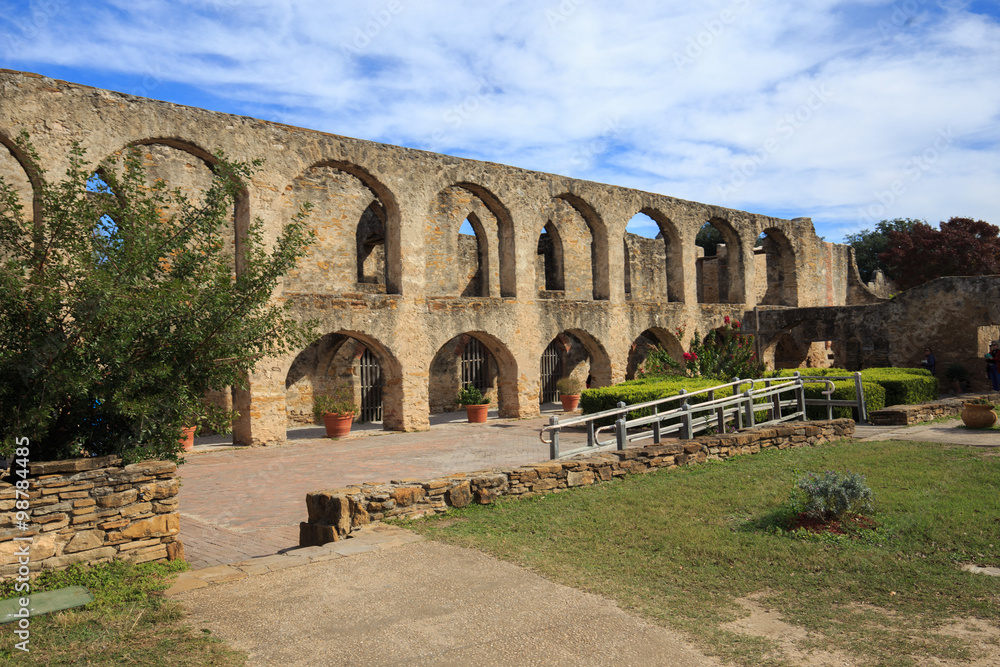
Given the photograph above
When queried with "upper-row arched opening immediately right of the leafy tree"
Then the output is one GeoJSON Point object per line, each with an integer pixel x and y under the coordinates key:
{"type": "Point", "coordinates": [356, 221]}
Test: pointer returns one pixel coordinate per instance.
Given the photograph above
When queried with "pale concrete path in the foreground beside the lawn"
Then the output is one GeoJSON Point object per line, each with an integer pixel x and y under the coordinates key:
{"type": "Point", "coordinates": [425, 603]}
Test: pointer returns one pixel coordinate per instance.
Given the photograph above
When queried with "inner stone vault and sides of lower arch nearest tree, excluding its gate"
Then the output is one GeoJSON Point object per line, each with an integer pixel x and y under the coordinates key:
{"type": "Point", "coordinates": [334, 358]}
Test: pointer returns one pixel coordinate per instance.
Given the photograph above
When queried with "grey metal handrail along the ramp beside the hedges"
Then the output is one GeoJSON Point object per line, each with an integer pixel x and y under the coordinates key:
{"type": "Point", "coordinates": [740, 407]}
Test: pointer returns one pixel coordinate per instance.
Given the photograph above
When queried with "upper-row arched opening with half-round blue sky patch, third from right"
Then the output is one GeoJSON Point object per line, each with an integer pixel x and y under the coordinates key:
{"type": "Point", "coordinates": [653, 269]}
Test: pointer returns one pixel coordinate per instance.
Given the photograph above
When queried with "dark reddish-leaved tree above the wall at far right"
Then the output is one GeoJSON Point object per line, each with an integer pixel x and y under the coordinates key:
{"type": "Point", "coordinates": [962, 247]}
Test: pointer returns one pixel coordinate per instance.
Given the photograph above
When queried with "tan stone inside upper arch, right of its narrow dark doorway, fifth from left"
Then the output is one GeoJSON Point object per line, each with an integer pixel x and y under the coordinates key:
{"type": "Point", "coordinates": [584, 246]}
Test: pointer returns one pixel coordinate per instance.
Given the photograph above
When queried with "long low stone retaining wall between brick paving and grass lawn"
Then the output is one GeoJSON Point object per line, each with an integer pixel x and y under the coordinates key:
{"type": "Point", "coordinates": [333, 514]}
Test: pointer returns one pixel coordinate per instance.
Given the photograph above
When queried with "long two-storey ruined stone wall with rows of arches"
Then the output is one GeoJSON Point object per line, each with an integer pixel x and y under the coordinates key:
{"type": "Point", "coordinates": [390, 268]}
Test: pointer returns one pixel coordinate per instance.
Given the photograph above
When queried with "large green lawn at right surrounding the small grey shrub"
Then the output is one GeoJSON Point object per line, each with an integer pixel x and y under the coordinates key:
{"type": "Point", "coordinates": [682, 547]}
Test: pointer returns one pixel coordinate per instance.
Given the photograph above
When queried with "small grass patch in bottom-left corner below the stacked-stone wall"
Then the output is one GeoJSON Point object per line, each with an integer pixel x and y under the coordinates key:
{"type": "Point", "coordinates": [128, 623]}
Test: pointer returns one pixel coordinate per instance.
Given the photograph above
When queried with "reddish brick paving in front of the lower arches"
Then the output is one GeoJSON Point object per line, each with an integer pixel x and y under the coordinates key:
{"type": "Point", "coordinates": [240, 503]}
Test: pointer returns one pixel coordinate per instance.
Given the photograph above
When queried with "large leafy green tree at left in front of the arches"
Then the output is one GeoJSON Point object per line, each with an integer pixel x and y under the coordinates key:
{"type": "Point", "coordinates": [120, 307]}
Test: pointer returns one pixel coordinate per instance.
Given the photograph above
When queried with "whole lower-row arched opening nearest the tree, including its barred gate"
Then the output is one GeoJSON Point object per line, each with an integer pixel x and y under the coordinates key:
{"type": "Point", "coordinates": [344, 359]}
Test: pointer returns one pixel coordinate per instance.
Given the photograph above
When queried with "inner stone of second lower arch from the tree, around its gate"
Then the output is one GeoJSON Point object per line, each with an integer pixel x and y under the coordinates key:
{"type": "Point", "coordinates": [445, 373]}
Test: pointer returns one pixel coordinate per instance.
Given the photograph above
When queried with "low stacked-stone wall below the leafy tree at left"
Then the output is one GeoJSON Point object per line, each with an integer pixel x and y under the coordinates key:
{"type": "Point", "coordinates": [92, 510]}
